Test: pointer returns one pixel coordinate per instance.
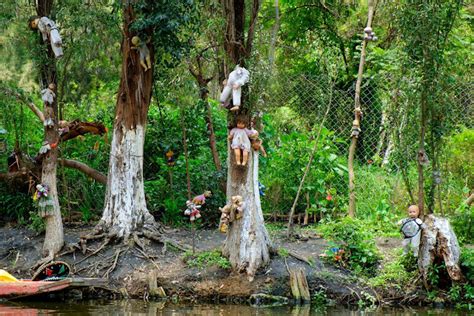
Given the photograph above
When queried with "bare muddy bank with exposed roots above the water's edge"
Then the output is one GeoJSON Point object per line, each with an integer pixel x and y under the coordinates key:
{"type": "Point", "coordinates": [128, 269]}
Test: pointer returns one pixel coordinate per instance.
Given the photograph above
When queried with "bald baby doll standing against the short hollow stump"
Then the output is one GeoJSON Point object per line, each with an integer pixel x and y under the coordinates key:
{"type": "Point", "coordinates": [411, 227]}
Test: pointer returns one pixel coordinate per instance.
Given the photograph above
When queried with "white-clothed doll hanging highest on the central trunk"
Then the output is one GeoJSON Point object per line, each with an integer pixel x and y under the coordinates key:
{"type": "Point", "coordinates": [237, 78]}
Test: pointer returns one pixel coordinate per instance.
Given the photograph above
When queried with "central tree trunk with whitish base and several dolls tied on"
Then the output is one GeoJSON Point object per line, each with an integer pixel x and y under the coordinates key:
{"type": "Point", "coordinates": [247, 244]}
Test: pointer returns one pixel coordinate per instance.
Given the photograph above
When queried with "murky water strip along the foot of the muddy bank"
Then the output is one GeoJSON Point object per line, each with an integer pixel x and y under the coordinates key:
{"type": "Point", "coordinates": [139, 308]}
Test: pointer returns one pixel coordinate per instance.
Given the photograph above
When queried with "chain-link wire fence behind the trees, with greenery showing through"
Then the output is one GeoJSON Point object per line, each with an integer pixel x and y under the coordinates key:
{"type": "Point", "coordinates": [295, 106]}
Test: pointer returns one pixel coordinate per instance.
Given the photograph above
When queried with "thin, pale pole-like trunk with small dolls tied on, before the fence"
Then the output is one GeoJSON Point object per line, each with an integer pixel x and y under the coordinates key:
{"type": "Point", "coordinates": [357, 118]}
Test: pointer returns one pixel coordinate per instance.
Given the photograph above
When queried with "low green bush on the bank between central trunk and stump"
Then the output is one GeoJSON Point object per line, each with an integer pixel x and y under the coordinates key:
{"type": "Point", "coordinates": [351, 235]}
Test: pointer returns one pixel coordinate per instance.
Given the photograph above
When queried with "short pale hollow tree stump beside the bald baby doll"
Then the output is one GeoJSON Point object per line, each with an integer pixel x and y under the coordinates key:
{"type": "Point", "coordinates": [439, 243]}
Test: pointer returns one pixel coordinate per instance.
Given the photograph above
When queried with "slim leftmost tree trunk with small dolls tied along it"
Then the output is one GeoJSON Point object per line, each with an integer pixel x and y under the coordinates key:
{"type": "Point", "coordinates": [54, 236]}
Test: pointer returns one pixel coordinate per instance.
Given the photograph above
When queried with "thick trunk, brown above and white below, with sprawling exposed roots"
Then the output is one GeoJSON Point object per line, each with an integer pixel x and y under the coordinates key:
{"type": "Point", "coordinates": [125, 210]}
